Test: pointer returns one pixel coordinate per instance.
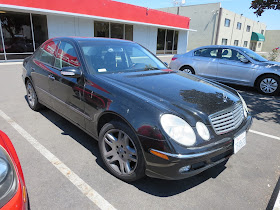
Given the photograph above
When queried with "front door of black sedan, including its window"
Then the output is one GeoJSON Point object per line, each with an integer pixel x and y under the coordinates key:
{"type": "Point", "coordinates": [67, 92]}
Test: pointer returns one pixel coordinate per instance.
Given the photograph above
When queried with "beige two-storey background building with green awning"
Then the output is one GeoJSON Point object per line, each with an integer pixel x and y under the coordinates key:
{"type": "Point", "coordinates": [216, 25]}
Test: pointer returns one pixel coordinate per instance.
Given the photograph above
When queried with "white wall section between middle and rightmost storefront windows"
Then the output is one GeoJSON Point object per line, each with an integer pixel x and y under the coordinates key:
{"type": "Point", "coordinates": [146, 36]}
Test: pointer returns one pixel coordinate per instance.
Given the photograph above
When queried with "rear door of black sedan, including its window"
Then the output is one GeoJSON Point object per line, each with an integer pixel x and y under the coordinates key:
{"type": "Point", "coordinates": [41, 69]}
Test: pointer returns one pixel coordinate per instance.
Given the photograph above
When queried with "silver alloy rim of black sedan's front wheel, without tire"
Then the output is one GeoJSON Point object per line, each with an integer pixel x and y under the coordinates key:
{"type": "Point", "coordinates": [119, 151]}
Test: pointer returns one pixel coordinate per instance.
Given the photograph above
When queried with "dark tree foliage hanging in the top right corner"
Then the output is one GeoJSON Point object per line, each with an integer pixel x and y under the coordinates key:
{"type": "Point", "coordinates": [261, 5]}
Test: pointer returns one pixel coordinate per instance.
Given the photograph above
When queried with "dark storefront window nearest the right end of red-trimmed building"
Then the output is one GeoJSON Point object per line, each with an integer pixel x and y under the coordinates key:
{"type": "Point", "coordinates": [167, 41]}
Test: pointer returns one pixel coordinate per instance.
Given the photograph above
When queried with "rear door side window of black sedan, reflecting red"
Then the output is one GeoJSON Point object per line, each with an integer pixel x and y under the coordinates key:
{"type": "Point", "coordinates": [45, 53]}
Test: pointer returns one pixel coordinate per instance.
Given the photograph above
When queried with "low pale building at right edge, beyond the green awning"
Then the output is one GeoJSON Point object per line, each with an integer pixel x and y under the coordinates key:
{"type": "Point", "coordinates": [272, 40]}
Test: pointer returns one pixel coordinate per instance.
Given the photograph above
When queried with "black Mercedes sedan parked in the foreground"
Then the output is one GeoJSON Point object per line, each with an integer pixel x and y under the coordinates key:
{"type": "Point", "coordinates": [147, 118]}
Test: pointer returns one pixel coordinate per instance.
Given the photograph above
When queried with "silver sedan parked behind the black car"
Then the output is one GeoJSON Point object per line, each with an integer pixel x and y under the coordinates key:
{"type": "Point", "coordinates": [231, 64]}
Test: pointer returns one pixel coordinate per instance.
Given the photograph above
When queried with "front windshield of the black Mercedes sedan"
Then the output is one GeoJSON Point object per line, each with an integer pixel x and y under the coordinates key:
{"type": "Point", "coordinates": [112, 57]}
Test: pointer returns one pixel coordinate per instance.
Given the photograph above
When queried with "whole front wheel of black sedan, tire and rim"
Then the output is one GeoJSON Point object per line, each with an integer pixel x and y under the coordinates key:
{"type": "Point", "coordinates": [121, 151]}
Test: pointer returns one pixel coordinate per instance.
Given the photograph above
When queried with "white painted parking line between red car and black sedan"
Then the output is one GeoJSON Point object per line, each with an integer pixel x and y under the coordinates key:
{"type": "Point", "coordinates": [94, 196]}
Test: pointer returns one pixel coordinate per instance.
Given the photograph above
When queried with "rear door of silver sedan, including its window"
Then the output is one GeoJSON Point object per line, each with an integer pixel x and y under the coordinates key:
{"type": "Point", "coordinates": [206, 62]}
